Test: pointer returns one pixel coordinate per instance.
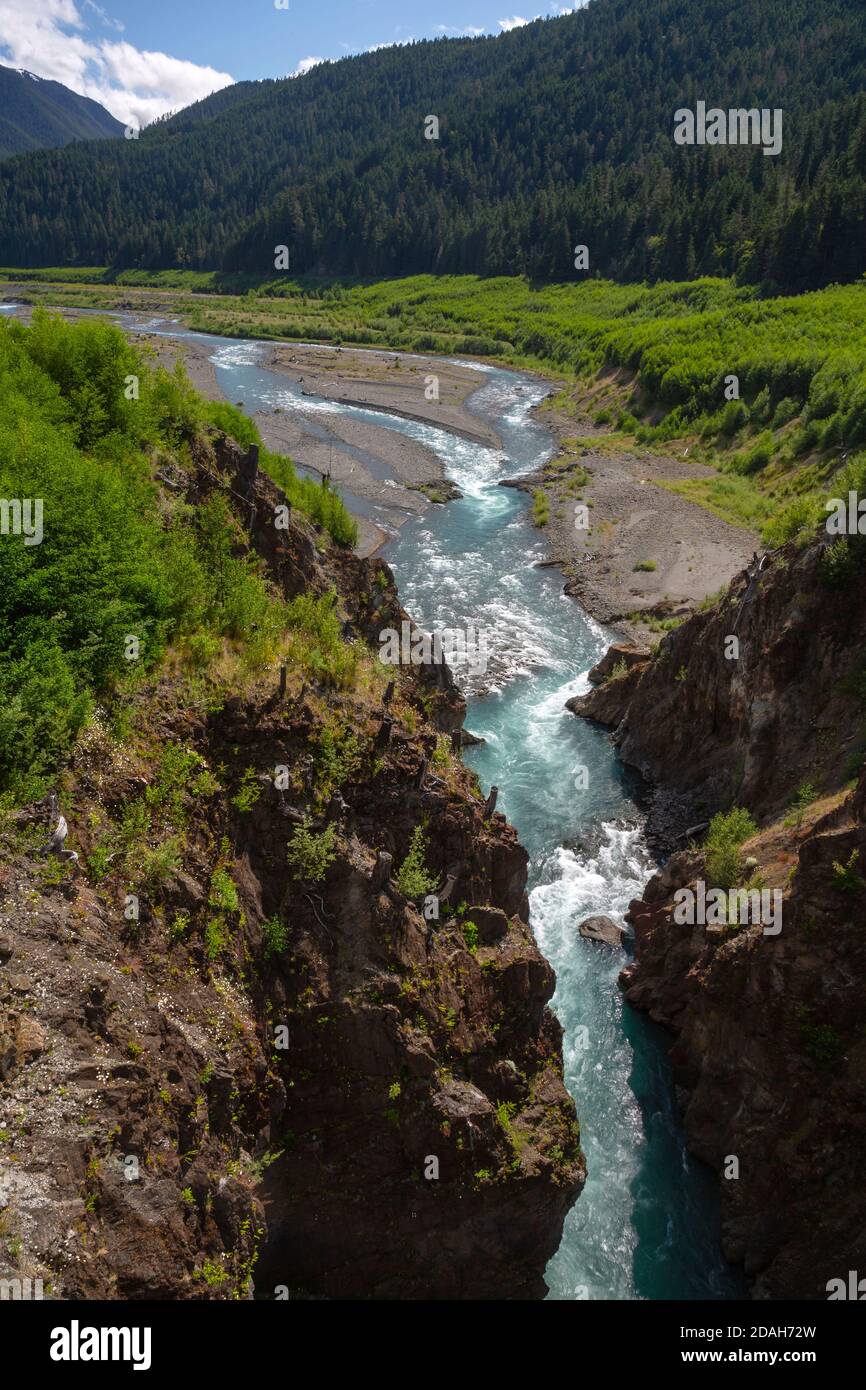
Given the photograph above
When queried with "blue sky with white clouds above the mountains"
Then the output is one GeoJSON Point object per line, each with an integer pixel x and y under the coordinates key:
{"type": "Point", "coordinates": [145, 58]}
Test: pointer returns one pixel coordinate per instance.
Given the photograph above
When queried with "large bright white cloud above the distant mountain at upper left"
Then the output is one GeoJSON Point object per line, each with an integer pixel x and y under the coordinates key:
{"type": "Point", "coordinates": [136, 85]}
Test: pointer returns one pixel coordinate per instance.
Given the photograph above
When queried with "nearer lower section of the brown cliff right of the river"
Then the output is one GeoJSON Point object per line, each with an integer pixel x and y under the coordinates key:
{"type": "Point", "coordinates": [771, 1052]}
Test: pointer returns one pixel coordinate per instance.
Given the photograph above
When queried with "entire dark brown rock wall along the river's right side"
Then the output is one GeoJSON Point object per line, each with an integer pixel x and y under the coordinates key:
{"type": "Point", "coordinates": [771, 1049]}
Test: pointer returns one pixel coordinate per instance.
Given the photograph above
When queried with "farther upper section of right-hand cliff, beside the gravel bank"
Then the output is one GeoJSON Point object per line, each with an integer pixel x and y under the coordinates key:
{"type": "Point", "coordinates": [750, 729]}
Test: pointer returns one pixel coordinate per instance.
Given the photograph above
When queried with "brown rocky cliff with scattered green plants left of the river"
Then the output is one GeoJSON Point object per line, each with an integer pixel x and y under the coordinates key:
{"type": "Point", "coordinates": [218, 1068]}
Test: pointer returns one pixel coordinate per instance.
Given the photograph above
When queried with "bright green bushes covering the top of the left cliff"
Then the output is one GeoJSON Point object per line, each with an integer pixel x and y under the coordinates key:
{"type": "Point", "coordinates": [116, 571]}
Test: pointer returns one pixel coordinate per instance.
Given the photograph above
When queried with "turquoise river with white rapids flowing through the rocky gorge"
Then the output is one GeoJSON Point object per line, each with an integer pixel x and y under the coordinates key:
{"type": "Point", "coordinates": [647, 1224]}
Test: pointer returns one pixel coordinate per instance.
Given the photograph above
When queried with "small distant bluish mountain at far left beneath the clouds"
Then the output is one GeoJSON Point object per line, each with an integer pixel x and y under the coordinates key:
{"type": "Point", "coordinates": [37, 113]}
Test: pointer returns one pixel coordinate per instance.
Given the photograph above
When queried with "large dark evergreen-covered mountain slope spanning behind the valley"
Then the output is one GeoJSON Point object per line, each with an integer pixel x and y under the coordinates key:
{"type": "Point", "coordinates": [557, 134]}
